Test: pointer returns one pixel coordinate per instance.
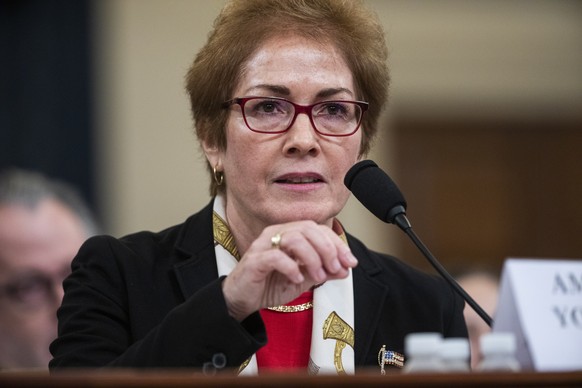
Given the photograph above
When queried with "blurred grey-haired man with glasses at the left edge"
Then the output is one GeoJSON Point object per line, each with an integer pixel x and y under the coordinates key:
{"type": "Point", "coordinates": [42, 225]}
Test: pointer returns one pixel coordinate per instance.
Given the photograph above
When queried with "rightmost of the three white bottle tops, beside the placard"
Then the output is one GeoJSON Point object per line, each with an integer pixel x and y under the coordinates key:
{"type": "Point", "coordinates": [498, 351]}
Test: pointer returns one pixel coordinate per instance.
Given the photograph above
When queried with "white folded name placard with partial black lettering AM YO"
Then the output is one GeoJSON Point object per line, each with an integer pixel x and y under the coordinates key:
{"type": "Point", "coordinates": [540, 301]}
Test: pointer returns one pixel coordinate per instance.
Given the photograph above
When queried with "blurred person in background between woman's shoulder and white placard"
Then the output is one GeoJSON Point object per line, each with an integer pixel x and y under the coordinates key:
{"type": "Point", "coordinates": [483, 286]}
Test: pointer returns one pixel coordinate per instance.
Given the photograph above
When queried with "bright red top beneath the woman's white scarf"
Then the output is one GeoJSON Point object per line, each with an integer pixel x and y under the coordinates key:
{"type": "Point", "coordinates": [289, 337]}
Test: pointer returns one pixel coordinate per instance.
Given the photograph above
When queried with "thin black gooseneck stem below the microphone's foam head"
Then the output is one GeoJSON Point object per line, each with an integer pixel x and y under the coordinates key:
{"type": "Point", "coordinates": [400, 219]}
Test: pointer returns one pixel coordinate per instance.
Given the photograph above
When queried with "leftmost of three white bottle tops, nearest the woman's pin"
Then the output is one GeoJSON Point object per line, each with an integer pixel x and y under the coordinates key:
{"type": "Point", "coordinates": [422, 351]}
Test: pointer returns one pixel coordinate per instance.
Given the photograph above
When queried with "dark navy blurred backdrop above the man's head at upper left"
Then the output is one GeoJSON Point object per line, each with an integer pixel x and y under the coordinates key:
{"type": "Point", "coordinates": [46, 121]}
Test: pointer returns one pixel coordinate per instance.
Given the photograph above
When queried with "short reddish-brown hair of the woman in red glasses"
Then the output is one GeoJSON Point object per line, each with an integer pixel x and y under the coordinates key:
{"type": "Point", "coordinates": [241, 28]}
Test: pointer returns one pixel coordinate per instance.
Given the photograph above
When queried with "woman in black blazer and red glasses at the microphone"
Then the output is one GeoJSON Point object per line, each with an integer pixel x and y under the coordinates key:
{"type": "Point", "coordinates": [286, 98]}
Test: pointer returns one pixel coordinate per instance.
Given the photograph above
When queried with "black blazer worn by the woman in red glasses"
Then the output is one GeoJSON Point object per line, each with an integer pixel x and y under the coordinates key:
{"type": "Point", "coordinates": [155, 300]}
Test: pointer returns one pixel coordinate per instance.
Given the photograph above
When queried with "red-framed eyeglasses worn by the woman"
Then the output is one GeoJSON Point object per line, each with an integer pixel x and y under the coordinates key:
{"type": "Point", "coordinates": [276, 115]}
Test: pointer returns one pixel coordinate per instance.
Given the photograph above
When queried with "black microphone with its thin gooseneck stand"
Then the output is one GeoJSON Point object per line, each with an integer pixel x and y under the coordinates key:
{"type": "Point", "coordinates": [380, 195]}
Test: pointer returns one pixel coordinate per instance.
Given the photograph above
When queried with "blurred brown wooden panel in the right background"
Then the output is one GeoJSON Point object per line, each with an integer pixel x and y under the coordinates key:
{"type": "Point", "coordinates": [481, 191]}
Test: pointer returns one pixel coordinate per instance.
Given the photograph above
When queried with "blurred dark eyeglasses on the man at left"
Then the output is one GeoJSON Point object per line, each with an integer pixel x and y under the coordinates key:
{"type": "Point", "coordinates": [33, 289]}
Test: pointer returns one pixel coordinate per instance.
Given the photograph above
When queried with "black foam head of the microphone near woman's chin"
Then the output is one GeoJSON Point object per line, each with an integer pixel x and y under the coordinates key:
{"type": "Point", "coordinates": [375, 190]}
